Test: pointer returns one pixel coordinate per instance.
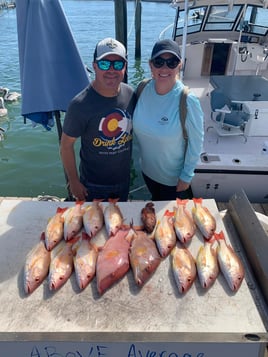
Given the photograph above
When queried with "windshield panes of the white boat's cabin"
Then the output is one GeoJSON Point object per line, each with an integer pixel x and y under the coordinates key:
{"type": "Point", "coordinates": [250, 19]}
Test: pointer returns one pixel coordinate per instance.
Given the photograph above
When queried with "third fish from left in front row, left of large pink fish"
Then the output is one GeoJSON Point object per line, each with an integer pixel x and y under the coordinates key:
{"type": "Point", "coordinates": [85, 258]}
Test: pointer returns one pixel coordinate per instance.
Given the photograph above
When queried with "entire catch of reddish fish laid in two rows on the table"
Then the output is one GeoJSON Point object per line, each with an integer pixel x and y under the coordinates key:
{"type": "Point", "coordinates": [67, 245]}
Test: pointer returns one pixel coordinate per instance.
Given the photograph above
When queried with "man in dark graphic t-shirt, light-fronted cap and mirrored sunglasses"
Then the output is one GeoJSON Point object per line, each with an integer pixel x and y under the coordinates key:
{"type": "Point", "coordinates": [101, 116]}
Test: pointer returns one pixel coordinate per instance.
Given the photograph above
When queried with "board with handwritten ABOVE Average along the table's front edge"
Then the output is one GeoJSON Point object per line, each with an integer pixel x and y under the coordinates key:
{"type": "Point", "coordinates": [129, 349]}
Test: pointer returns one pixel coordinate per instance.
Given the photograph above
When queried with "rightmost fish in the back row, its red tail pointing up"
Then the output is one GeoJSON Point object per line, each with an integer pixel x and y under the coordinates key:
{"type": "Point", "coordinates": [203, 218]}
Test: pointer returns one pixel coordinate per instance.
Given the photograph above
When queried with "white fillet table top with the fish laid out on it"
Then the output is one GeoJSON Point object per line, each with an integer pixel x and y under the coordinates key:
{"type": "Point", "coordinates": [125, 312]}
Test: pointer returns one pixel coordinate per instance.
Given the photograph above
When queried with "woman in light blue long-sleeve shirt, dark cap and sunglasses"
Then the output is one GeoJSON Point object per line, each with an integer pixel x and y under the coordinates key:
{"type": "Point", "coordinates": [167, 163]}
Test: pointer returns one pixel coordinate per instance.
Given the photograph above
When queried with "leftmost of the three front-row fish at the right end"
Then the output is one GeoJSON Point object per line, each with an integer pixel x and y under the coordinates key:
{"type": "Point", "coordinates": [183, 267]}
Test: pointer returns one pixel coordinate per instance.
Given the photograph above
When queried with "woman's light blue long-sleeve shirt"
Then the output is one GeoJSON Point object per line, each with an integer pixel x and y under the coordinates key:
{"type": "Point", "coordinates": [158, 130]}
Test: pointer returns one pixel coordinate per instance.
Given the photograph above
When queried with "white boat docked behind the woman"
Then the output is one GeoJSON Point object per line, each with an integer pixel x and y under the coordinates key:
{"type": "Point", "coordinates": [225, 49]}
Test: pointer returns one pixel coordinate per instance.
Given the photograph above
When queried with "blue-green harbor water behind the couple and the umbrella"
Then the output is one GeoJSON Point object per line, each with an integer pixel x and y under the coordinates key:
{"type": "Point", "coordinates": [29, 157]}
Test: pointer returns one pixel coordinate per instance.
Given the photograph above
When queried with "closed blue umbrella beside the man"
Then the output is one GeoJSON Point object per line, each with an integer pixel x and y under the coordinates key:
{"type": "Point", "coordinates": [51, 69]}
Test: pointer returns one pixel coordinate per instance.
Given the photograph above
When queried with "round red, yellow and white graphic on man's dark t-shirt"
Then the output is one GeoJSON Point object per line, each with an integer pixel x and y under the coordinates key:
{"type": "Point", "coordinates": [115, 130]}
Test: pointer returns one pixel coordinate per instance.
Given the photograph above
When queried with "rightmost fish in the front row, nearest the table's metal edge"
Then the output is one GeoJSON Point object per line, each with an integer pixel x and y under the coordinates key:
{"type": "Point", "coordinates": [230, 264]}
